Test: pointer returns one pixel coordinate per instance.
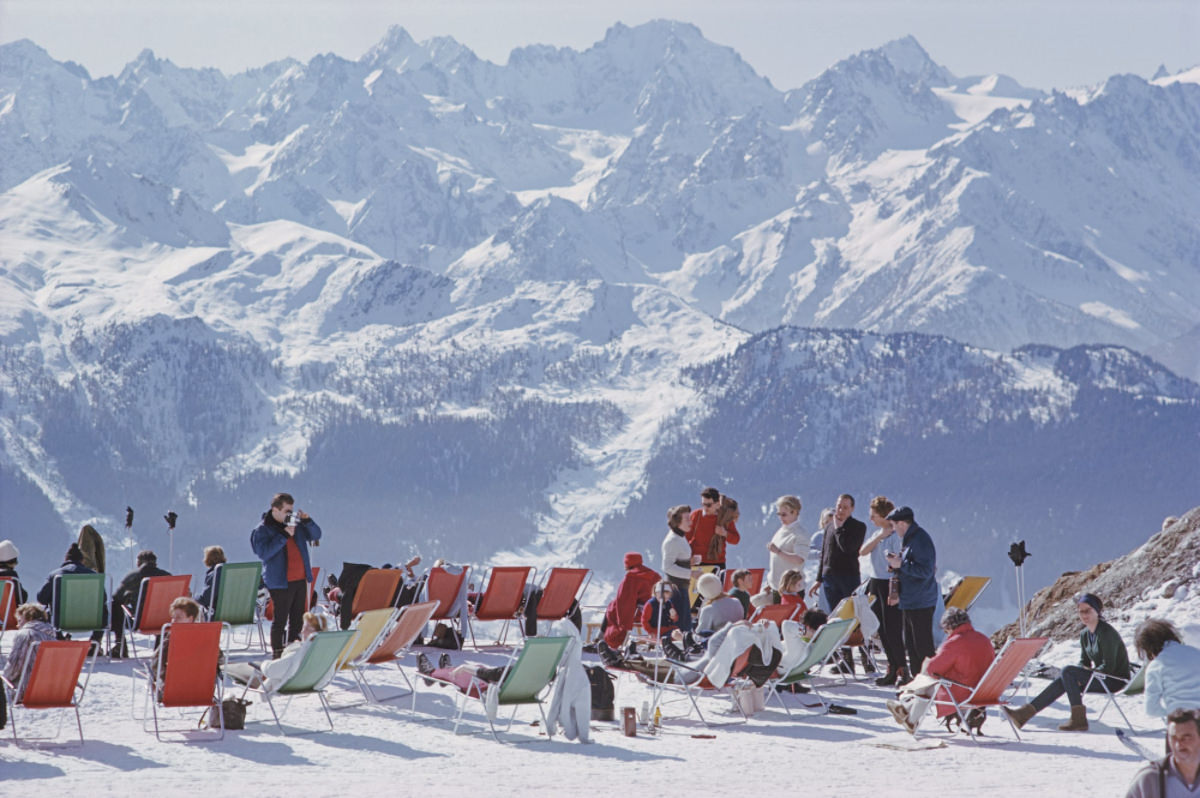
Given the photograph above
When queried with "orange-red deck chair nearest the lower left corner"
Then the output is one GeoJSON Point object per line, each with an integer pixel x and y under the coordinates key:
{"type": "Point", "coordinates": [50, 682]}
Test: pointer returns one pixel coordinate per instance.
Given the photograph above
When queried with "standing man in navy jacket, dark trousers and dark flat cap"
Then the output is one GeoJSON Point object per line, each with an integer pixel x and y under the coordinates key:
{"type": "Point", "coordinates": [917, 567]}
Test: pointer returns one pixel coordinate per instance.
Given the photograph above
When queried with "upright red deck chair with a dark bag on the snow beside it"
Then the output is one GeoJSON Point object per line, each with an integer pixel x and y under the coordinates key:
{"type": "Point", "coordinates": [190, 680]}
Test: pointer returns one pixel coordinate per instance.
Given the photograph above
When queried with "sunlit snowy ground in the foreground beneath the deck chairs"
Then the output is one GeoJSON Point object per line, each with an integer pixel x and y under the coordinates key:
{"type": "Point", "coordinates": [417, 754]}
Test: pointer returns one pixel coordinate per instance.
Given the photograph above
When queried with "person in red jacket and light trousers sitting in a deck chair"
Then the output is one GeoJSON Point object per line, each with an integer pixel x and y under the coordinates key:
{"type": "Point", "coordinates": [963, 658]}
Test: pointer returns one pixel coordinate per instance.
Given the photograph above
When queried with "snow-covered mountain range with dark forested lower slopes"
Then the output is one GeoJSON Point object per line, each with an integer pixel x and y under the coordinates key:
{"type": "Point", "coordinates": [514, 311]}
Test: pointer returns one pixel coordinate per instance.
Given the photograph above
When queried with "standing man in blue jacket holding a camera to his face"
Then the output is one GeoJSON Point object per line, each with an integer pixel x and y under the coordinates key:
{"type": "Point", "coordinates": [283, 542]}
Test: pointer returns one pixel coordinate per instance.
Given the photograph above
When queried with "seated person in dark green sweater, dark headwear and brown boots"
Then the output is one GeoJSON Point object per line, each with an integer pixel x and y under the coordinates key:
{"type": "Point", "coordinates": [1103, 652]}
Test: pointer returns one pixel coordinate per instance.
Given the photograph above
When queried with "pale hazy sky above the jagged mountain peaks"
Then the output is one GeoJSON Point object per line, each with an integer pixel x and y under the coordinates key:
{"type": "Point", "coordinates": [1047, 44]}
